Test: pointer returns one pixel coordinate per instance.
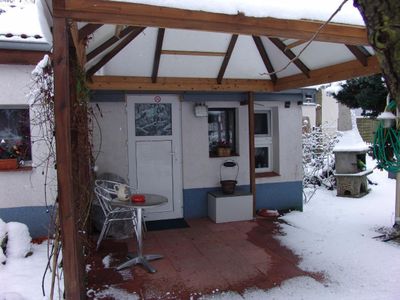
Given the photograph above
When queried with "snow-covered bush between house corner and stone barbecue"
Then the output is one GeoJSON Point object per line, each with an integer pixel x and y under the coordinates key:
{"type": "Point", "coordinates": [318, 161]}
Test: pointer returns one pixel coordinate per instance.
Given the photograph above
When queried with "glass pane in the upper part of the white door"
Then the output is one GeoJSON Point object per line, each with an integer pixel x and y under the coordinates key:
{"type": "Point", "coordinates": [153, 119]}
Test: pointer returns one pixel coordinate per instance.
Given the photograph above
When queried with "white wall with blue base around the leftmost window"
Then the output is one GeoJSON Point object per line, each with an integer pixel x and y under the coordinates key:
{"type": "Point", "coordinates": [22, 198]}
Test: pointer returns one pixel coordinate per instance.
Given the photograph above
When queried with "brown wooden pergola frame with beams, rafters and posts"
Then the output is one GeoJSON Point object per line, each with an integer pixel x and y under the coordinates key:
{"type": "Point", "coordinates": [95, 13]}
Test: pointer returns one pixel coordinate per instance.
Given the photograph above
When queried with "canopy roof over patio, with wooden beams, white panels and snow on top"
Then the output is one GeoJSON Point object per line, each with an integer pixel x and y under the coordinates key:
{"type": "Point", "coordinates": [226, 45]}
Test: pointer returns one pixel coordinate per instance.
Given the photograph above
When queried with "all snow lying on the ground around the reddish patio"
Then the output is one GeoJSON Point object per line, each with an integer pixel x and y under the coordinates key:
{"type": "Point", "coordinates": [333, 236]}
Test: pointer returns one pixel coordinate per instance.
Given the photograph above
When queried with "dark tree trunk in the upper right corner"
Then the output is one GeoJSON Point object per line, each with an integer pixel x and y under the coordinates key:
{"type": "Point", "coordinates": [382, 18]}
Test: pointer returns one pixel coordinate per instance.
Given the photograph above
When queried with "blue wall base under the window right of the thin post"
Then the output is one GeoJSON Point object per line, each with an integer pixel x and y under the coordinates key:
{"type": "Point", "coordinates": [280, 195]}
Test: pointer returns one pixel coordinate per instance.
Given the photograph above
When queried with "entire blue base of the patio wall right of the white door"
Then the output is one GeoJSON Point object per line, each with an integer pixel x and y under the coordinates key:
{"type": "Point", "coordinates": [281, 195]}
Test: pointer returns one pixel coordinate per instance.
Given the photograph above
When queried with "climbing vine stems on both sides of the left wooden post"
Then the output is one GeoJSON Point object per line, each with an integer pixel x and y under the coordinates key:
{"type": "Point", "coordinates": [42, 107]}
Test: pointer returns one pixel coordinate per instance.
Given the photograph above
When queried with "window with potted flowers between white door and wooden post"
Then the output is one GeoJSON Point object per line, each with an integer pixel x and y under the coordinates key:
{"type": "Point", "coordinates": [222, 130]}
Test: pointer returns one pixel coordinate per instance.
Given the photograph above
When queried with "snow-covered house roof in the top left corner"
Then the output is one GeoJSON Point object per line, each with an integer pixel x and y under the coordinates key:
{"type": "Point", "coordinates": [24, 26]}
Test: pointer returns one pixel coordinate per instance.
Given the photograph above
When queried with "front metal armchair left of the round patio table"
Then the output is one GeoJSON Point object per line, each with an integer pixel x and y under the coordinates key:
{"type": "Point", "coordinates": [112, 214]}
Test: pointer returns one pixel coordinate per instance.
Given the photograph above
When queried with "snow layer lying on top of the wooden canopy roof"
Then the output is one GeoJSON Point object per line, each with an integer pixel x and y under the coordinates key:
{"type": "Point", "coordinates": [283, 9]}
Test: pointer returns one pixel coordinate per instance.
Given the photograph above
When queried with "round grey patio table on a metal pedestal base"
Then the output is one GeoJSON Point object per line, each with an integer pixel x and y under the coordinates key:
{"type": "Point", "coordinates": [151, 200]}
